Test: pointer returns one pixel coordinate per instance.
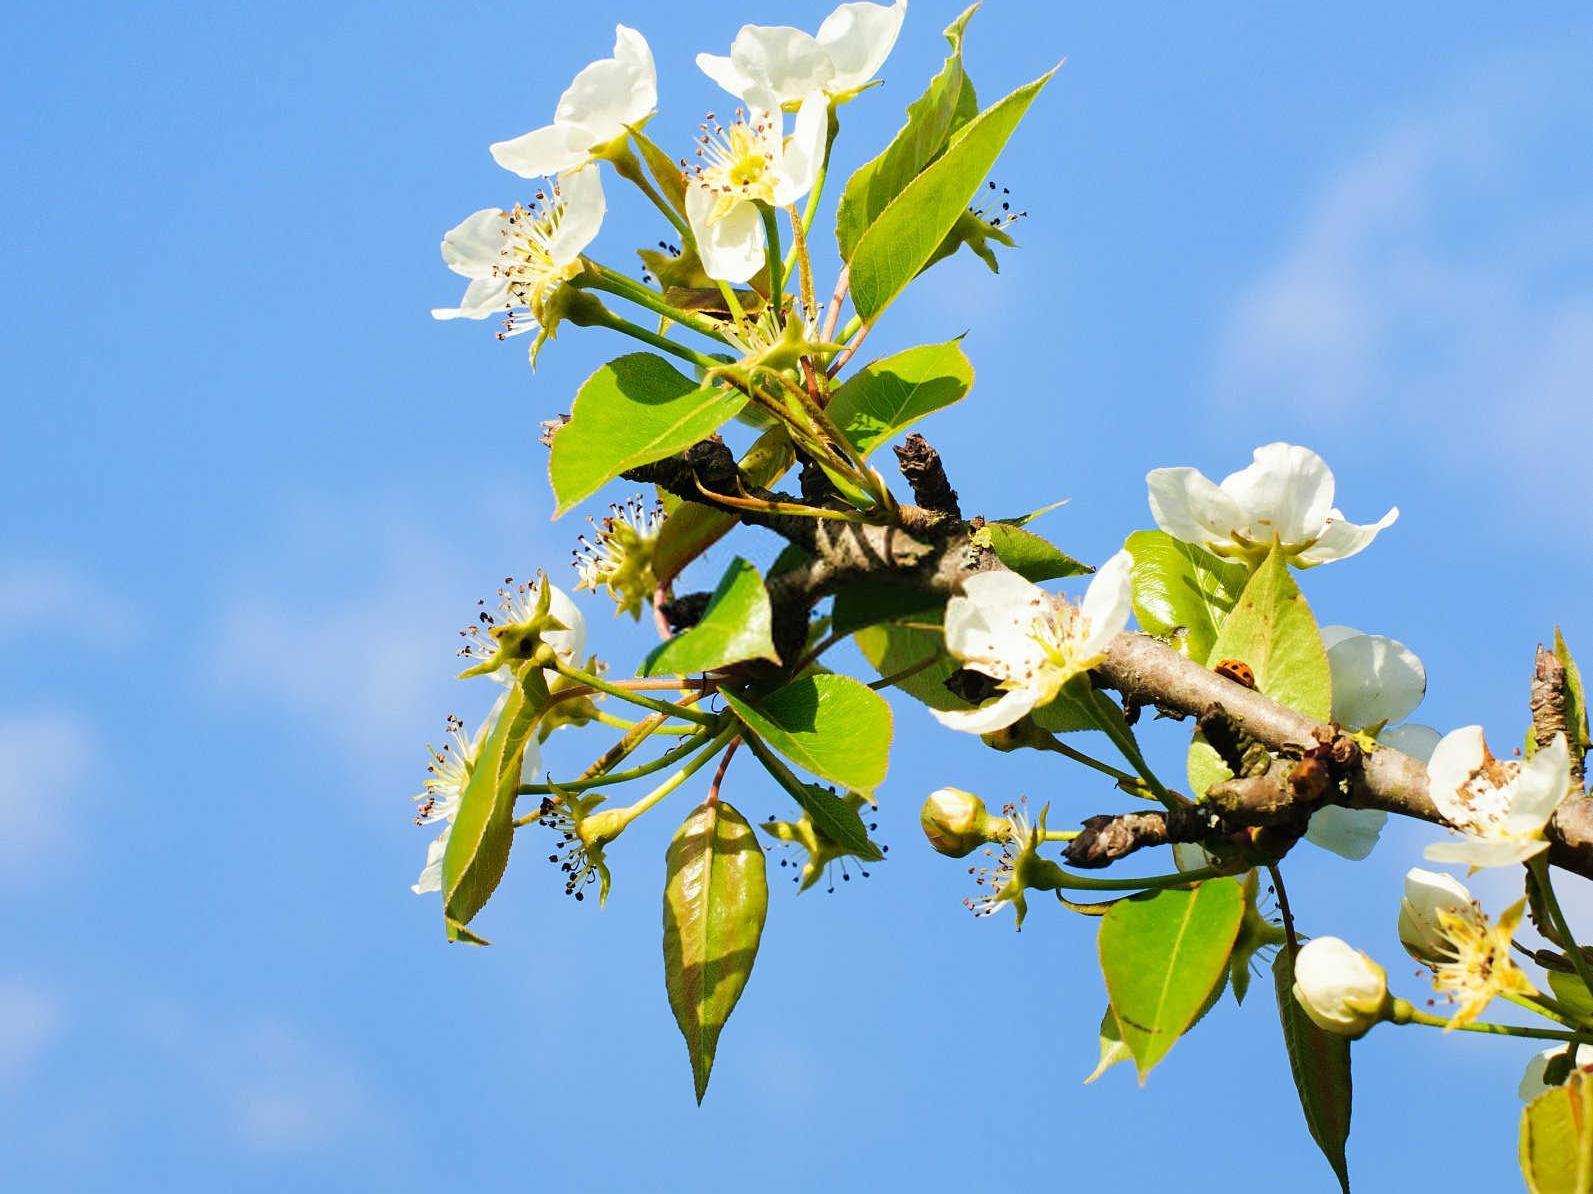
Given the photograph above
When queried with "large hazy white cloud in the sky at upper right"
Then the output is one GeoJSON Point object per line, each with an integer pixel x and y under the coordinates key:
{"type": "Point", "coordinates": [1442, 284]}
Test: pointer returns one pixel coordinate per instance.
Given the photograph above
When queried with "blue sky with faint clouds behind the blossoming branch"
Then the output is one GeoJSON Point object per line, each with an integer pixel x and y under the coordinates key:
{"type": "Point", "coordinates": [251, 490]}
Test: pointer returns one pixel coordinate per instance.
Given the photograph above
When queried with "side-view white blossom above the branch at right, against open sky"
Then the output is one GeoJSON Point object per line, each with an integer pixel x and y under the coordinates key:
{"type": "Point", "coordinates": [1285, 496]}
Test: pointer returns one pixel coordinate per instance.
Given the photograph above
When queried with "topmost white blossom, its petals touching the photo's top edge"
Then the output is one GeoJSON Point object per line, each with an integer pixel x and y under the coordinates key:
{"type": "Point", "coordinates": [773, 66]}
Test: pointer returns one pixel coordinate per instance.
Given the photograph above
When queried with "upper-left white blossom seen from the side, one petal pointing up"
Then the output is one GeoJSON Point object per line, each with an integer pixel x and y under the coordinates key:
{"type": "Point", "coordinates": [597, 107]}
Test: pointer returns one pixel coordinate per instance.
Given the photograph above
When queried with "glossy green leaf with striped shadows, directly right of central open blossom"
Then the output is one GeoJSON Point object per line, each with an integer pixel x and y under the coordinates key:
{"type": "Point", "coordinates": [1181, 591]}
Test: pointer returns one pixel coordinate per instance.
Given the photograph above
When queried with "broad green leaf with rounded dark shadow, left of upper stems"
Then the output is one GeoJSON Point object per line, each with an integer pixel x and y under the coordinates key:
{"type": "Point", "coordinates": [633, 412]}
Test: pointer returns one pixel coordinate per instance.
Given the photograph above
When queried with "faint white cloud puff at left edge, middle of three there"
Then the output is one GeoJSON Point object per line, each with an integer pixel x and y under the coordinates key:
{"type": "Point", "coordinates": [49, 757]}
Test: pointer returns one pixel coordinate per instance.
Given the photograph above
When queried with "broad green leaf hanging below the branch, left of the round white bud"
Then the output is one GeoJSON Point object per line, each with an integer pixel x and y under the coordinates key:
{"type": "Point", "coordinates": [1164, 954]}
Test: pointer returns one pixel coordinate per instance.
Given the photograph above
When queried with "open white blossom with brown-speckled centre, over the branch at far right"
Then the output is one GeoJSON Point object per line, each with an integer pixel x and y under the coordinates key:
{"type": "Point", "coordinates": [1498, 806]}
